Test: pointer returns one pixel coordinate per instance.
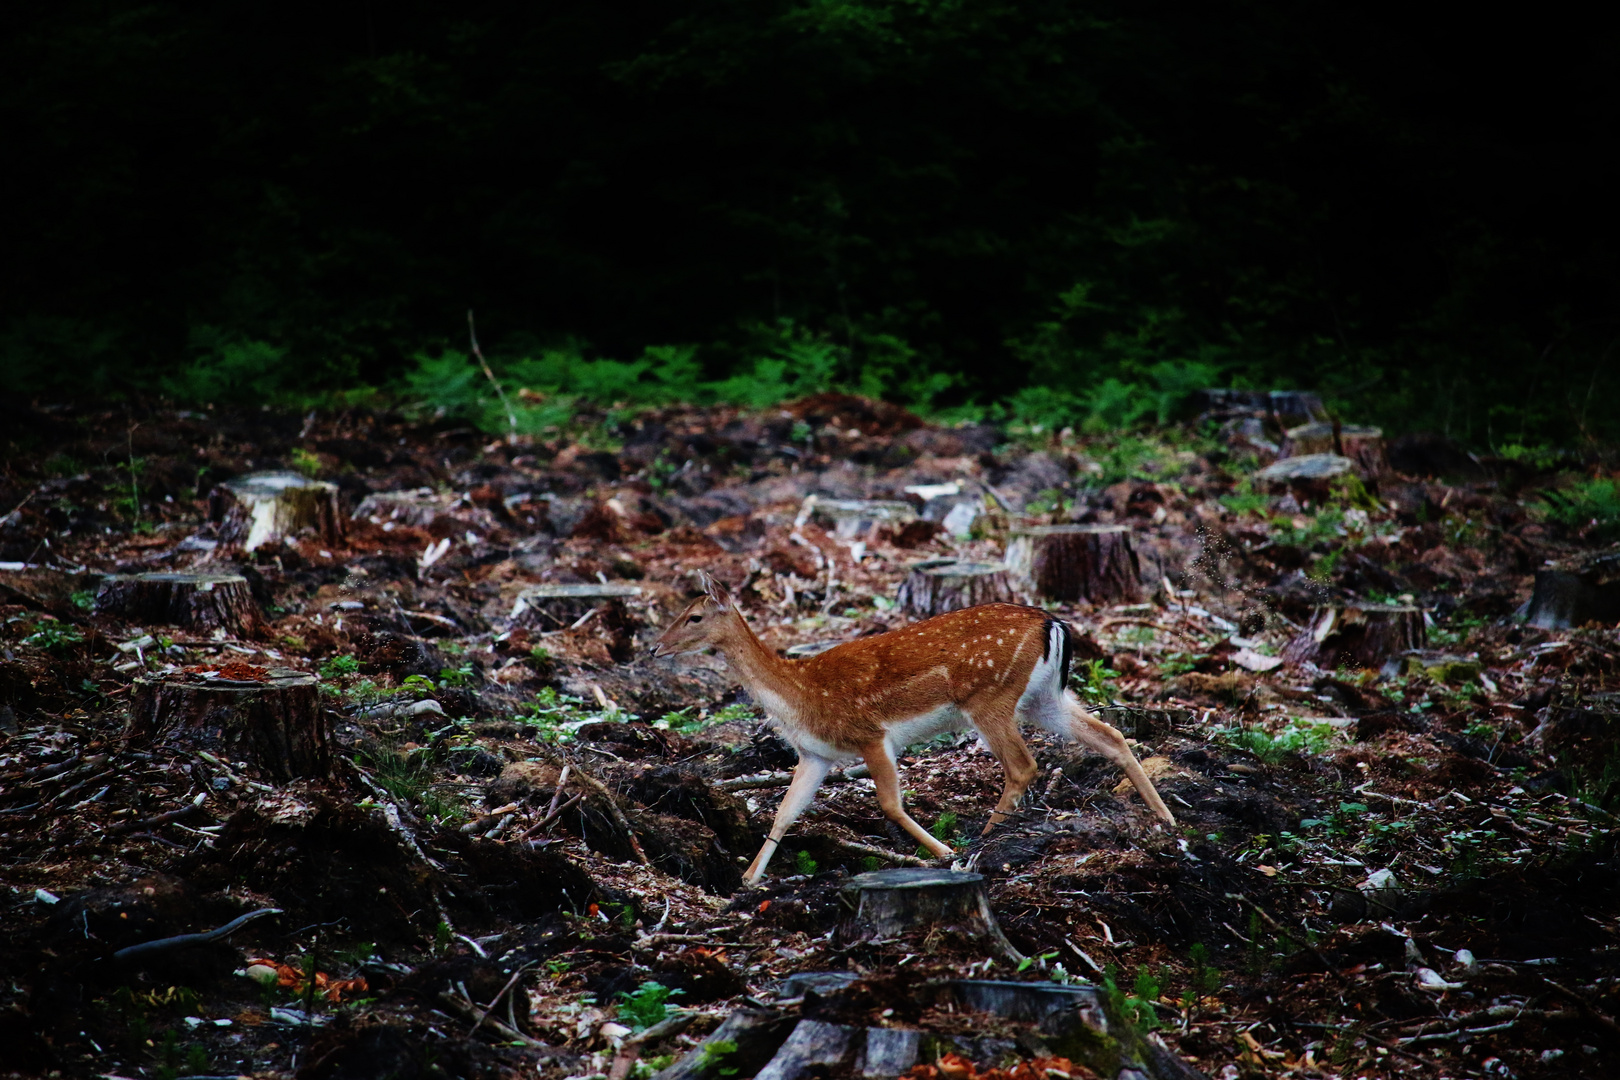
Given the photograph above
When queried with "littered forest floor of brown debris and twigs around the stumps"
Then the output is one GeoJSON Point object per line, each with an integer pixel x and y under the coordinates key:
{"type": "Point", "coordinates": [1375, 874]}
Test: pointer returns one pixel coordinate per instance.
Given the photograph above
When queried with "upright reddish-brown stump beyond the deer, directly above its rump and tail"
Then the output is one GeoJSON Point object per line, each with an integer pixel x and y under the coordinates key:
{"type": "Point", "coordinates": [1078, 563]}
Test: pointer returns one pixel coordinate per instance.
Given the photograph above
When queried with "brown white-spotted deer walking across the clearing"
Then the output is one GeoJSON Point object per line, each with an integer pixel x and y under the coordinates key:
{"type": "Point", "coordinates": [991, 668]}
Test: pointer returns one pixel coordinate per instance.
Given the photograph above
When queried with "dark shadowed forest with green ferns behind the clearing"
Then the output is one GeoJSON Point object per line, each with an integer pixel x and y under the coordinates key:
{"type": "Point", "coordinates": [1060, 206]}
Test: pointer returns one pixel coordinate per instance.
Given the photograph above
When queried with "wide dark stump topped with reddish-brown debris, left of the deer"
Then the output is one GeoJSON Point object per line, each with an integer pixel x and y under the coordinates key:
{"type": "Point", "coordinates": [270, 720]}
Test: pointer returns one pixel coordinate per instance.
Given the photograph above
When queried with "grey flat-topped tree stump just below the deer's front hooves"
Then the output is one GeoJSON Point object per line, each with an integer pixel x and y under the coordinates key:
{"type": "Point", "coordinates": [892, 903]}
